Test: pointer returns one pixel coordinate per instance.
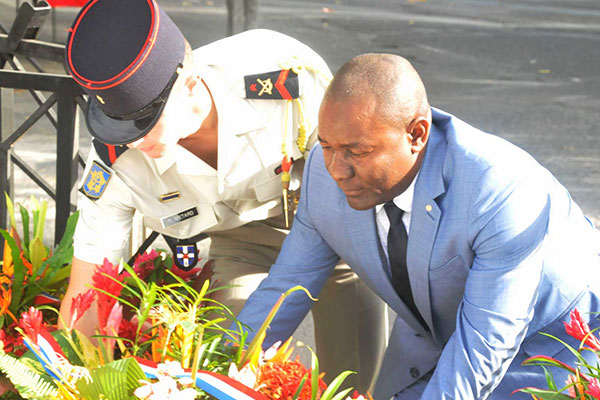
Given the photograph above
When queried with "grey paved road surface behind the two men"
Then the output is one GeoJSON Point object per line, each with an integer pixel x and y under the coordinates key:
{"type": "Point", "coordinates": [526, 70]}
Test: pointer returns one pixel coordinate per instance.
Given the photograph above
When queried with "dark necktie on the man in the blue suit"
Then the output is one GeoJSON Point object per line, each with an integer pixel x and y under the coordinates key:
{"type": "Point", "coordinates": [397, 244]}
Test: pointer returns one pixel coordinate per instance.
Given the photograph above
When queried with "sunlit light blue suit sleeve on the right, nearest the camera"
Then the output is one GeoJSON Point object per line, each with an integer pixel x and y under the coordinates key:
{"type": "Point", "coordinates": [507, 224]}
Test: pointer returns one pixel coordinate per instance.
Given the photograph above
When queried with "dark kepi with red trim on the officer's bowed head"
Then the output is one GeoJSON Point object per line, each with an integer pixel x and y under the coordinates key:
{"type": "Point", "coordinates": [126, 55]}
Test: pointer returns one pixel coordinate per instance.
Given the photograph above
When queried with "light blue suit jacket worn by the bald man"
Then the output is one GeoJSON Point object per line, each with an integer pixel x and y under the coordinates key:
{"type": "Point", "coordinates": [497, 252]}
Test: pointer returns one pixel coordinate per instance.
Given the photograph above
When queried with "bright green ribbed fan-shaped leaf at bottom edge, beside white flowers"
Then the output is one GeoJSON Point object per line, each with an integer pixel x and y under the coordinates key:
{"type": "Point", "coordinates": [115, 381]}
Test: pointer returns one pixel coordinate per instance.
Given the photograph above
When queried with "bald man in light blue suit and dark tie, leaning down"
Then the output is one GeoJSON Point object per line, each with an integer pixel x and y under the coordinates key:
{"type": "Point", "coordinates": [497, 251]}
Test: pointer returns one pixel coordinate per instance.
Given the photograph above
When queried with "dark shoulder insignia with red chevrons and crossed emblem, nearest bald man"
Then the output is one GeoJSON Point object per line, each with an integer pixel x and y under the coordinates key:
{"type": "Point", "coordinates": [278, 85]}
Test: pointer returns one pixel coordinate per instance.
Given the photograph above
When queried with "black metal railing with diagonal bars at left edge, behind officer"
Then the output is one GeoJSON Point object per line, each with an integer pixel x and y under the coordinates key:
{"type": "Point", "coordinates": [21, 41]}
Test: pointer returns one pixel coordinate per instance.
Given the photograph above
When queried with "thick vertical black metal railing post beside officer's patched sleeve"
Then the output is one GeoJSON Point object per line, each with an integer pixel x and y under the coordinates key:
{"type": "Point", "coordinates": [67, 147]}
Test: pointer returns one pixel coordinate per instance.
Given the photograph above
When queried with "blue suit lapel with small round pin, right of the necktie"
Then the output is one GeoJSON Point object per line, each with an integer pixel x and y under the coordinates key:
{"type": "Point", "coordinates": [424, 223]}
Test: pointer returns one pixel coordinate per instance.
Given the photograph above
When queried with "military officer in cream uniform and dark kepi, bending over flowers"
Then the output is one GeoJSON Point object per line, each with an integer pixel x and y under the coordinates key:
{"type": "Point", "coordinates": [205, 141]}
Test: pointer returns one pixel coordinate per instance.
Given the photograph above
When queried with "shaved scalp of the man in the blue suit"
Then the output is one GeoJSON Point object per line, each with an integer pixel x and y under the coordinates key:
{"type": "Point", "coordinates": [388, 80]}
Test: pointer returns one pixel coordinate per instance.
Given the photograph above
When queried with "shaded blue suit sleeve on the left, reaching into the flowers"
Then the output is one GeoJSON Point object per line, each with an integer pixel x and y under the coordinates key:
{"type": "Point", "coordinates": [305, 259]}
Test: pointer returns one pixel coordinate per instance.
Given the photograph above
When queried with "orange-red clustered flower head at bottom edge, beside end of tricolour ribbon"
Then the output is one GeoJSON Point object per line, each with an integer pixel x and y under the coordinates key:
{"type": "Point", "coordinates": [280, 381]}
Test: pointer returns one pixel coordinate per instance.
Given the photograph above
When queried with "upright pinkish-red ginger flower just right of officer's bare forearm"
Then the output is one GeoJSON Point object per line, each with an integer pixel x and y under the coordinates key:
{"type": "Point", "coordinates": [108, 279]}
